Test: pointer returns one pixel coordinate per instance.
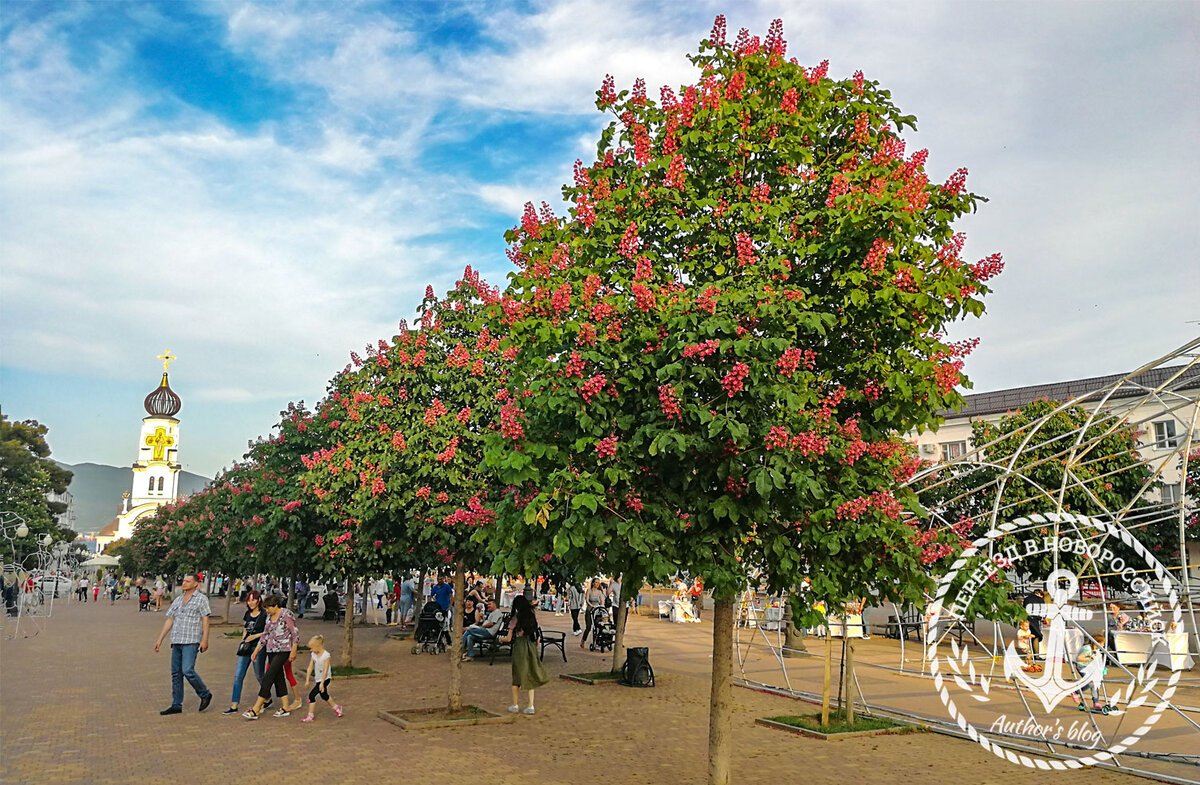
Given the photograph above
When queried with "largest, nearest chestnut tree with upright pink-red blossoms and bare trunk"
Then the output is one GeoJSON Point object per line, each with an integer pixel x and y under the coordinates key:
{"type": "Point", "coordinates": [719, 343]}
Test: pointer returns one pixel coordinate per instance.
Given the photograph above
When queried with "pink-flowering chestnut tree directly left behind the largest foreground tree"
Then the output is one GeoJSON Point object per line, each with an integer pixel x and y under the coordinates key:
{"type": "Point", "coordinates": [406, 474]}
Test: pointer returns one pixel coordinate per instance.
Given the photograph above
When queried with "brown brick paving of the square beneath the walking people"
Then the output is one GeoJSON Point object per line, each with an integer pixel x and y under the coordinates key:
{"type": "Point", "coordinates": [80, 704]}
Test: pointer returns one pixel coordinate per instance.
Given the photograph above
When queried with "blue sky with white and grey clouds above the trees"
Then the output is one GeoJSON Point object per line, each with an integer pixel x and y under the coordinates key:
{"type": "Point", "coordinates": [262, 188]}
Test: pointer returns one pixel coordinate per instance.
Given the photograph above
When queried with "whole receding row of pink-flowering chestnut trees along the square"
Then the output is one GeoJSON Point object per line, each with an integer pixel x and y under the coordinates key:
{"type": "Point", "coordinates": [701, 368]}
